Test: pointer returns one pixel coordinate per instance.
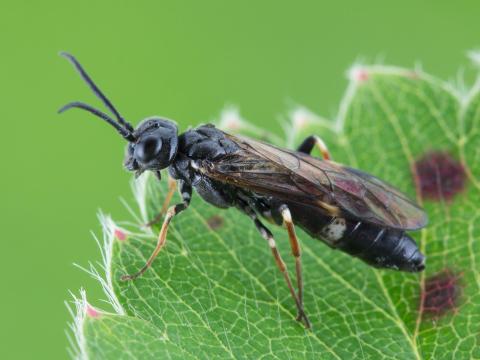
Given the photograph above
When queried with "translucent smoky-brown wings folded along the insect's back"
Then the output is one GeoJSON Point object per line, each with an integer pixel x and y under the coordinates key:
{"type": "Point", "coordinates": [298, 177]}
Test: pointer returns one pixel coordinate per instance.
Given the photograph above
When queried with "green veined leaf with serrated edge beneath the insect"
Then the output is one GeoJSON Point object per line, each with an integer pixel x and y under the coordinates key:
{"type": "Point", "coordinates": [214, 291]}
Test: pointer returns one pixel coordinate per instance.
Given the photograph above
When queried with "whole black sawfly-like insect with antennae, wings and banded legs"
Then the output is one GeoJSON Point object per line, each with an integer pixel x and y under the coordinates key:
{"type": "Point", "coordinates": [344, 207]}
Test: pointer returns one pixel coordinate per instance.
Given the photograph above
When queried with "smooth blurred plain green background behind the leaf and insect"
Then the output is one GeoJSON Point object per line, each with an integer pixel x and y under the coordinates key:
{"type": "Point", "coordinates": [184, 60]}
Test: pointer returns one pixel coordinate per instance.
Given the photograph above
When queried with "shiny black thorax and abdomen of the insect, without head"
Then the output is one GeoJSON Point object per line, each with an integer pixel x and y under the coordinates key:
{"type": "Point", "coordinates": [378, 246]}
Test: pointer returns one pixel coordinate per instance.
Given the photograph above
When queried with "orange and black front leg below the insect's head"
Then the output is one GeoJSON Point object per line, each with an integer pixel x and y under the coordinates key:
{"type": "Point", "coordinates": [186, 192]}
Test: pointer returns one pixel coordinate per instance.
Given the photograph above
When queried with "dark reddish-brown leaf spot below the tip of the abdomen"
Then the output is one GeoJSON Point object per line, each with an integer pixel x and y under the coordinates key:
{"type": "Point", "coordinates": [441, 293]}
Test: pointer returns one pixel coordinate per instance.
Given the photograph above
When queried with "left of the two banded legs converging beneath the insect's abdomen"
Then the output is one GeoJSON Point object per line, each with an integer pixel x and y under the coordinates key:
{"type": "Point", "coordinates": [267, 235]}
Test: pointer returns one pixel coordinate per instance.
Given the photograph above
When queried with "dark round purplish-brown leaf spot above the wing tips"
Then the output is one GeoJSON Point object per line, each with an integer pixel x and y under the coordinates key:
{"type": "Point", "coordinates": [439, 176]}
